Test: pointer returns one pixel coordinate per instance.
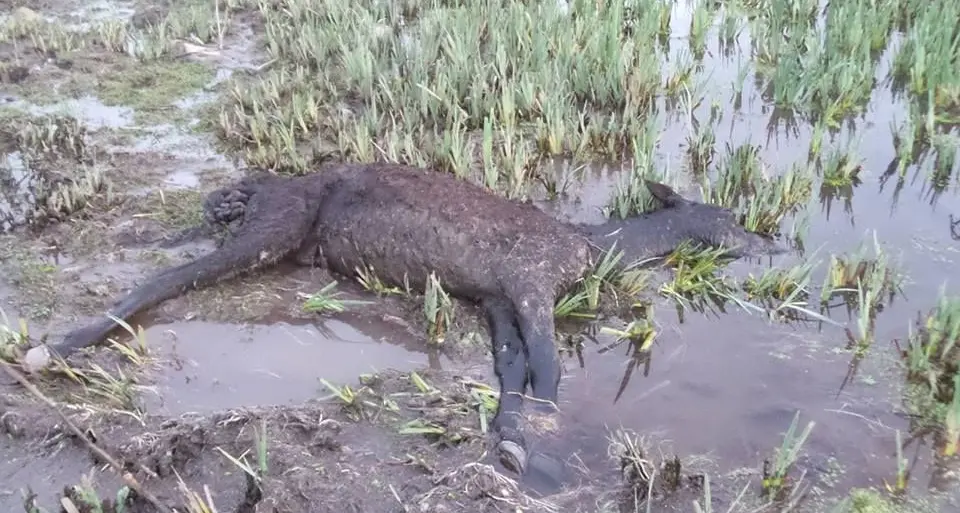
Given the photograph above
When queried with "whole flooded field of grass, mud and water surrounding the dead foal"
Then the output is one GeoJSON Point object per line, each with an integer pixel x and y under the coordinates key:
{"type": "Point", "coordinates": [118, 119]}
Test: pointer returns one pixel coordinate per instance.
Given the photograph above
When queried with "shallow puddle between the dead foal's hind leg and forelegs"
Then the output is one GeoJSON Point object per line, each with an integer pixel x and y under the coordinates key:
{"type": "Point", "coordinates": [215, 366]}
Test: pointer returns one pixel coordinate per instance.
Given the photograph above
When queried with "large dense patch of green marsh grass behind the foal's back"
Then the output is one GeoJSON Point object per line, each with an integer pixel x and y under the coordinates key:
{"type": "Point", "coordinates": [348, 74]}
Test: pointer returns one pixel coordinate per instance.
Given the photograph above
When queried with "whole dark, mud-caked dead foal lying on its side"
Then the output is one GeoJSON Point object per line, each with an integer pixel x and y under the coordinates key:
{"type": "Point", "coordinates": [405, 223]}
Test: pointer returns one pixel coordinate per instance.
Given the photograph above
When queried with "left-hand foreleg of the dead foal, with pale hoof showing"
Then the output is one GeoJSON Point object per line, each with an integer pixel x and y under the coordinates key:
{"type": "Point", "coordinates": [510, 368]}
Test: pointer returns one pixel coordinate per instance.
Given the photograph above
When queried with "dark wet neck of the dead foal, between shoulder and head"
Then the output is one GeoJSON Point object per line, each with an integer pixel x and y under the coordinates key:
{"type": "Point", "coordinates": [640, 238]}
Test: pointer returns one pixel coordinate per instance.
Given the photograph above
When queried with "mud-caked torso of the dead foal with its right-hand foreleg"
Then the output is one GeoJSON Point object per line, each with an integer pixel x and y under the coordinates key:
{"type": "Point", "coordinates": [405, 224]}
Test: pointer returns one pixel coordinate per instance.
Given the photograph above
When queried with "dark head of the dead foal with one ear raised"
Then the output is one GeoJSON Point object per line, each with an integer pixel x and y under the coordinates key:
{"type": "Point", "coordinates": [711, 225]}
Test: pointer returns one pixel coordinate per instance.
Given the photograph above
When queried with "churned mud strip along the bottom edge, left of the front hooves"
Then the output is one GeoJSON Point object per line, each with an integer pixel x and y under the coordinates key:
{"type": "Point", "coordinates": [316, 456]}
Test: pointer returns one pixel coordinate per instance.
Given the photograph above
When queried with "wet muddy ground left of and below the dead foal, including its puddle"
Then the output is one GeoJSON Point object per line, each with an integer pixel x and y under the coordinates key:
{"type": "Point", "coordinates": [177, 414]}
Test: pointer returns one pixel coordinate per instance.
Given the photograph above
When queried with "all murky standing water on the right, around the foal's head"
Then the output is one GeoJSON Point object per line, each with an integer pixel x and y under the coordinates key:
{"type": "Point", "coordinates": [729, 385]}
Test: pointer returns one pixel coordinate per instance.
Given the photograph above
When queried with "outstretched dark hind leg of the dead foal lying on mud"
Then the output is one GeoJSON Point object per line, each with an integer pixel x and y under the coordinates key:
{"type": "Point", "coordinates": [275, 223]}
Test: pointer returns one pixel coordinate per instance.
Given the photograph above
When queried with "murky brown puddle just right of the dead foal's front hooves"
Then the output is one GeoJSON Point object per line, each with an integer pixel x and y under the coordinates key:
{"type": "Point", "coordinates": [727, 388]}
